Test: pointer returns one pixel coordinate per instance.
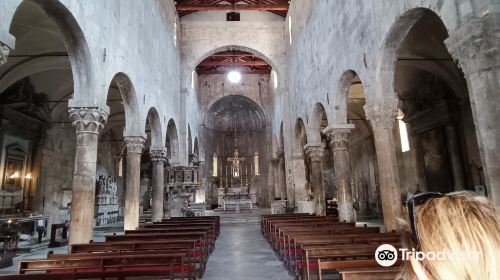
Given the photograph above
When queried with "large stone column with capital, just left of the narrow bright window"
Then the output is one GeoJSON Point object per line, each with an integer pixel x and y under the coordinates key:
{"type": "Point", "coordinates": [382, 118]}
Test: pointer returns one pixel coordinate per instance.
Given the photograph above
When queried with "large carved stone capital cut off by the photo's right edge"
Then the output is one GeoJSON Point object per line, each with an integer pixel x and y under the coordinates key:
{"type": "Point", "coordinates": [475, 45]}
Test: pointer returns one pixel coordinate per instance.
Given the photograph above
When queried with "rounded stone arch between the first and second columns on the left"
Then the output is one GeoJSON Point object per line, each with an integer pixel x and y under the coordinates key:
{"type": "Point", "coordinates": [133, 126]}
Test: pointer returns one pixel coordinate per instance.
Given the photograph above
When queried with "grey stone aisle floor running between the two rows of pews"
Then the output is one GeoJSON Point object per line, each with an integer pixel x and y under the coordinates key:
{"type": "Point", "coordinates": [242, 253]}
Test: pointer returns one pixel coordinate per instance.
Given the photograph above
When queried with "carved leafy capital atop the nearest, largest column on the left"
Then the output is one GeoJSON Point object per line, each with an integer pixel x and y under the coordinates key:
{"type": "Point", "coordinates": [88, 120]}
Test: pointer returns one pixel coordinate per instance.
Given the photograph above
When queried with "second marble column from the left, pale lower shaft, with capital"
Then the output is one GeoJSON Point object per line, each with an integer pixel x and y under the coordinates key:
{"type": "Point", "coordinates": [135, 144]}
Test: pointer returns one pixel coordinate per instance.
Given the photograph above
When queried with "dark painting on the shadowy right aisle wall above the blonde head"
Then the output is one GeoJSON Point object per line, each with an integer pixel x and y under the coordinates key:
{"type": "Point", "coordinates": [435, 159]}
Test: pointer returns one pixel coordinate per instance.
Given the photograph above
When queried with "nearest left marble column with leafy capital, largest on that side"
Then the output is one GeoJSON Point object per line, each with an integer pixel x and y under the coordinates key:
{"type": "Point", "coordinates": [88, 123]}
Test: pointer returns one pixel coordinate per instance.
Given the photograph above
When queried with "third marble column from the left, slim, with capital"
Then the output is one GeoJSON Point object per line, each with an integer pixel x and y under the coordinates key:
{"type": "Point", "coordinates": [158, 157]}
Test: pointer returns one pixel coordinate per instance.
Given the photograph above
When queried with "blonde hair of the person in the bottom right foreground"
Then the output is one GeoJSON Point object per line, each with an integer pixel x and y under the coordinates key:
{"type": "Point", "coordinates": [459, 222]}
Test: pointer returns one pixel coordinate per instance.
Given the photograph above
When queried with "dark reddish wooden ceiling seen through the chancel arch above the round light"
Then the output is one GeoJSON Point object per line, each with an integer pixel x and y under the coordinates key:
{"type": "Point", "coordinates": [223, 62]}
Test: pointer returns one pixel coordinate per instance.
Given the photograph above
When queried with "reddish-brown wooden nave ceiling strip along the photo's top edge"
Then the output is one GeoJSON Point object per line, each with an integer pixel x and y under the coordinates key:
{"type": "Point", "coordinates": [185, 7]}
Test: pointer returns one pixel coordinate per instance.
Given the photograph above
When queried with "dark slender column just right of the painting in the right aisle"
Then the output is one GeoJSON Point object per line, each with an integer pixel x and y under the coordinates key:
{"type": "Point", "coordinates": [455, 154]}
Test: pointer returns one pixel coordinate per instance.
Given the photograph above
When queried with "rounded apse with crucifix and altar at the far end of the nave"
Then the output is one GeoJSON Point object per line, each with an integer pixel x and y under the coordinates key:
{"type": "Point", "coordinates": [236, 142]}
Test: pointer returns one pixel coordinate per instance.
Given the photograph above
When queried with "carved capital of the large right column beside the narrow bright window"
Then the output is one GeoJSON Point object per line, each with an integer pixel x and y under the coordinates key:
{"type": "Point", "coordinates": [382, 115]}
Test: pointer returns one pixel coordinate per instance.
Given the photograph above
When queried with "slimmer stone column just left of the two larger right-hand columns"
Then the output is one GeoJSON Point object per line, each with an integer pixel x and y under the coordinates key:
{"type": "Point", "coordinates": [315, 153]}
